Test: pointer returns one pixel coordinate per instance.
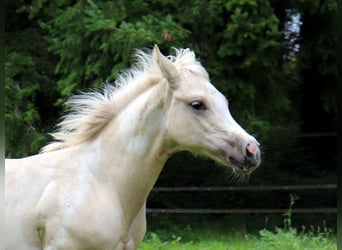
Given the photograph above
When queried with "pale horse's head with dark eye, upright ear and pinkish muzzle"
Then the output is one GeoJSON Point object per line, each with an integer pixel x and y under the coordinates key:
{"type": "Point", "coordinates": [198, 117]}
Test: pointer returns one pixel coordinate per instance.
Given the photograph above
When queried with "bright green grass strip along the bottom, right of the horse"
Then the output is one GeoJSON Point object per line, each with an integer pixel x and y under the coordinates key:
{"type": "Point", "coordinates": [202, 239]}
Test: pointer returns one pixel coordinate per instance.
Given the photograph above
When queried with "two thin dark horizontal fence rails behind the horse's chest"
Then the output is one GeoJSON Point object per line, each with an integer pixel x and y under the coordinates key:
{"type": "Point", "coordinates": [244, 210]}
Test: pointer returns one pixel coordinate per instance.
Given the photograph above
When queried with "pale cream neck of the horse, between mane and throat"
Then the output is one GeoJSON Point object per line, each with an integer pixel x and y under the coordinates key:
{"type": "Point", "coordinates": [135, 148]}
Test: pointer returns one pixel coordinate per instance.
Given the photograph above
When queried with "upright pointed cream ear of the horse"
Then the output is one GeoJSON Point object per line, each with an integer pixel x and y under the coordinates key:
{"type": "Point", "coordinates": [168, 70]}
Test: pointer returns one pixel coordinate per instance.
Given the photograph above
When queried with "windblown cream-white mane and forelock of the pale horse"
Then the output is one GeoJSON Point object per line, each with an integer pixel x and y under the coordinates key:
{"type": "Point", "coordinates": [90, 112]}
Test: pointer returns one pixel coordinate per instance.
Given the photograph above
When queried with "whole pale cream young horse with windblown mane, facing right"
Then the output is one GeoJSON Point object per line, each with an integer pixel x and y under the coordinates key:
{"type": "Point", "coordinates": [87, 189]}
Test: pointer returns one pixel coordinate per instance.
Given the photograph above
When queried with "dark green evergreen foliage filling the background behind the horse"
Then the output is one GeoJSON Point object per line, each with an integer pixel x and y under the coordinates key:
{"type": "Point", "coordinates": [58, 48]}
